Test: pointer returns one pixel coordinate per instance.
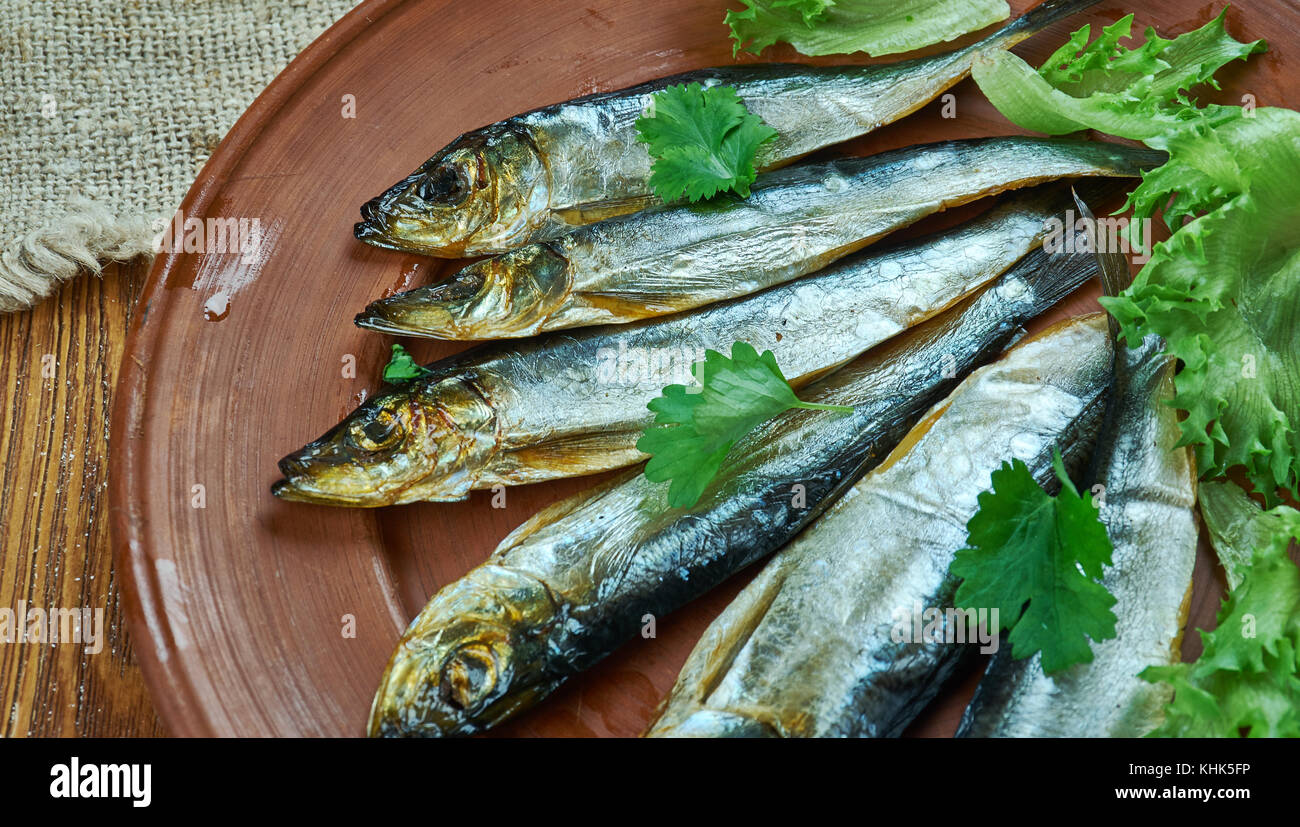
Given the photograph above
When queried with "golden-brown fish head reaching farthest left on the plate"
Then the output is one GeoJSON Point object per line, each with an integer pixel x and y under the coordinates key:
{"type": "Point", "coordinates": [423, 443]}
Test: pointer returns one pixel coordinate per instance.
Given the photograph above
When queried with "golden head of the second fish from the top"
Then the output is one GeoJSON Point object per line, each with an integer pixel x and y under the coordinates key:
{"type": "Point", "coordinates": [508, 296]}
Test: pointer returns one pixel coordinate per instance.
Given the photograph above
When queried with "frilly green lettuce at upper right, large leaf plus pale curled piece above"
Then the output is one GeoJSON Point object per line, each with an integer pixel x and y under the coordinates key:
{"type": "Point", "coordinates": [1224, 291]}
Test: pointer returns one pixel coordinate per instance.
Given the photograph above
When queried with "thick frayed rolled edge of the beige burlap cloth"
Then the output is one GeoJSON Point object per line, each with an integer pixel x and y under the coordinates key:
{"type": "Point", "coordinates": [88, 237]}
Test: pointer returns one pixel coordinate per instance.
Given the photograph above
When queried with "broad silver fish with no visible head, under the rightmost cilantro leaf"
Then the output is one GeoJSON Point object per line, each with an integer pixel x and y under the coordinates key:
{"type": "Point", "coordinates": [807, 650]}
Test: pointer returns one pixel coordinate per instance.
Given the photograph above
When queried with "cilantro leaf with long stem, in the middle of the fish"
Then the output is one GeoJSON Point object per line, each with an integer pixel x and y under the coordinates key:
{"type": "Point", "coordinates": [694, 432]}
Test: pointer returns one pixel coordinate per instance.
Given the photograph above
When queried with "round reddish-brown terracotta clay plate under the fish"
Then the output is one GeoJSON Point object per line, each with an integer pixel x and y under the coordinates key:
{"type": "Point", "coordinates": [255, 617]}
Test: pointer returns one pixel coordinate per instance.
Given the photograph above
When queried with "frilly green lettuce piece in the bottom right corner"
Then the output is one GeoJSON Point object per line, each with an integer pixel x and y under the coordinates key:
{"type": "Point", "coordinates": [1247, 679]}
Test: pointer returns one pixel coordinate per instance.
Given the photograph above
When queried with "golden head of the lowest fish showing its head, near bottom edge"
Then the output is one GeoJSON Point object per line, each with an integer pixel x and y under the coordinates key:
{"type": "Point", "coordinates": [470, 660]}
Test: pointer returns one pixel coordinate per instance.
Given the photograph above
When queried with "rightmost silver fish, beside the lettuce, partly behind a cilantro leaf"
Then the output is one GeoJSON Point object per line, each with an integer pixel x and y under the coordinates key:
{"type": "Point", "coordinates": [1150, 500]}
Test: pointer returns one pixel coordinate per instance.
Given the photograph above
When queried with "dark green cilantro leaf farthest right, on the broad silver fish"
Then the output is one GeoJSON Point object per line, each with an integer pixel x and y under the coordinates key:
{"type": "Point", "coordinates": [1039, 560]}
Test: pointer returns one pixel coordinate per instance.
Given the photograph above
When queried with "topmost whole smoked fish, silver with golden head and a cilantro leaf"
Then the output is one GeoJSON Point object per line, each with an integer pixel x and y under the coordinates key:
{"type": "Point", "coordinates": [579, 162]}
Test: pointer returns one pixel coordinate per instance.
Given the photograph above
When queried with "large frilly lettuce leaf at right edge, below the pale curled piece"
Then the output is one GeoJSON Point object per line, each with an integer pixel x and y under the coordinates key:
{"type": "Point", "coordinates": [1225, 293]}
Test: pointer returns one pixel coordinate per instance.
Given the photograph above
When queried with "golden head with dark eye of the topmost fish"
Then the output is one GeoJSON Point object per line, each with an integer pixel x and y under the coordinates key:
{"type": "Point", "coordinates": [486, 193]}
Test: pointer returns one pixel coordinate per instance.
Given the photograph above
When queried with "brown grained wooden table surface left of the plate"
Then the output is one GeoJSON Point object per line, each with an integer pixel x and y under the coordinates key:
{"type": "Point", "coordinates": [54, 534]}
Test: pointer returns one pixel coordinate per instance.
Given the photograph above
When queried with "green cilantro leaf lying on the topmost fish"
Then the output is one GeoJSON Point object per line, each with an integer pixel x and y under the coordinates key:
{"type": "Point", "coordinates": [703, 141]}
